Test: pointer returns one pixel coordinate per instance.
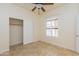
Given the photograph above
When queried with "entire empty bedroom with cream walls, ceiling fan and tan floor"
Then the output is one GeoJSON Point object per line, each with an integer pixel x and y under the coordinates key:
{"type": "Point", "coordinates": [39, 29]}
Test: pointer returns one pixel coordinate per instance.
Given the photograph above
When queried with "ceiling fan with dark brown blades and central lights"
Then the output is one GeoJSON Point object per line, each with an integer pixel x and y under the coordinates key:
{"type": "Point", "coordinates": [39, 6]}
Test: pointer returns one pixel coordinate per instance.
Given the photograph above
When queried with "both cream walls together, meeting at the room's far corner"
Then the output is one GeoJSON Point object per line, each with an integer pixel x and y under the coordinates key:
{"type": "Point", "coordinates": [34, 29]}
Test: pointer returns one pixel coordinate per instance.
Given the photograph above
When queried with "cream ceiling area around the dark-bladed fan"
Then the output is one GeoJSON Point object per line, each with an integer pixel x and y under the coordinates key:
{"type": "Point", "coordinates": [29, 6]}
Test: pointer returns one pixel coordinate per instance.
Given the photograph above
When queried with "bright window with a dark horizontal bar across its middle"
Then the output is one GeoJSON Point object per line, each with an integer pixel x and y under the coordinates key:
{"type": "Point", "coordinates": [52, 27]}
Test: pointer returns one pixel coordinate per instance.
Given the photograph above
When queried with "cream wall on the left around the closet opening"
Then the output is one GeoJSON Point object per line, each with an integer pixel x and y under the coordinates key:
{"type": "Point", "coordinates": [10, 10]}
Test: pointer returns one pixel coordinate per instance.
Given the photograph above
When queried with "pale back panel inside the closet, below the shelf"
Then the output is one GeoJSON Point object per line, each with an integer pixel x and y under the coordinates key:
{"type": "Point", "coordinates": [16, 34]}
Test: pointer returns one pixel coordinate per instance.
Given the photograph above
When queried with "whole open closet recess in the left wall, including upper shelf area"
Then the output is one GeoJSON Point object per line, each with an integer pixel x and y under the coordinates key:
{"type": "Point", "coordinates": [16, 31]}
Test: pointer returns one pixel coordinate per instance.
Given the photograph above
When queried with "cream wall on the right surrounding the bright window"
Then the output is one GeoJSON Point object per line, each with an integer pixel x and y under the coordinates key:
{"type": "Point", "coordinates": [66, 14]}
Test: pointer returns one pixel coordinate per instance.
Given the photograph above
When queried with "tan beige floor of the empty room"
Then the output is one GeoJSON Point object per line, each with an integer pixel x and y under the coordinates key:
{"type": "Point", "coordinates": [39, 49]}
